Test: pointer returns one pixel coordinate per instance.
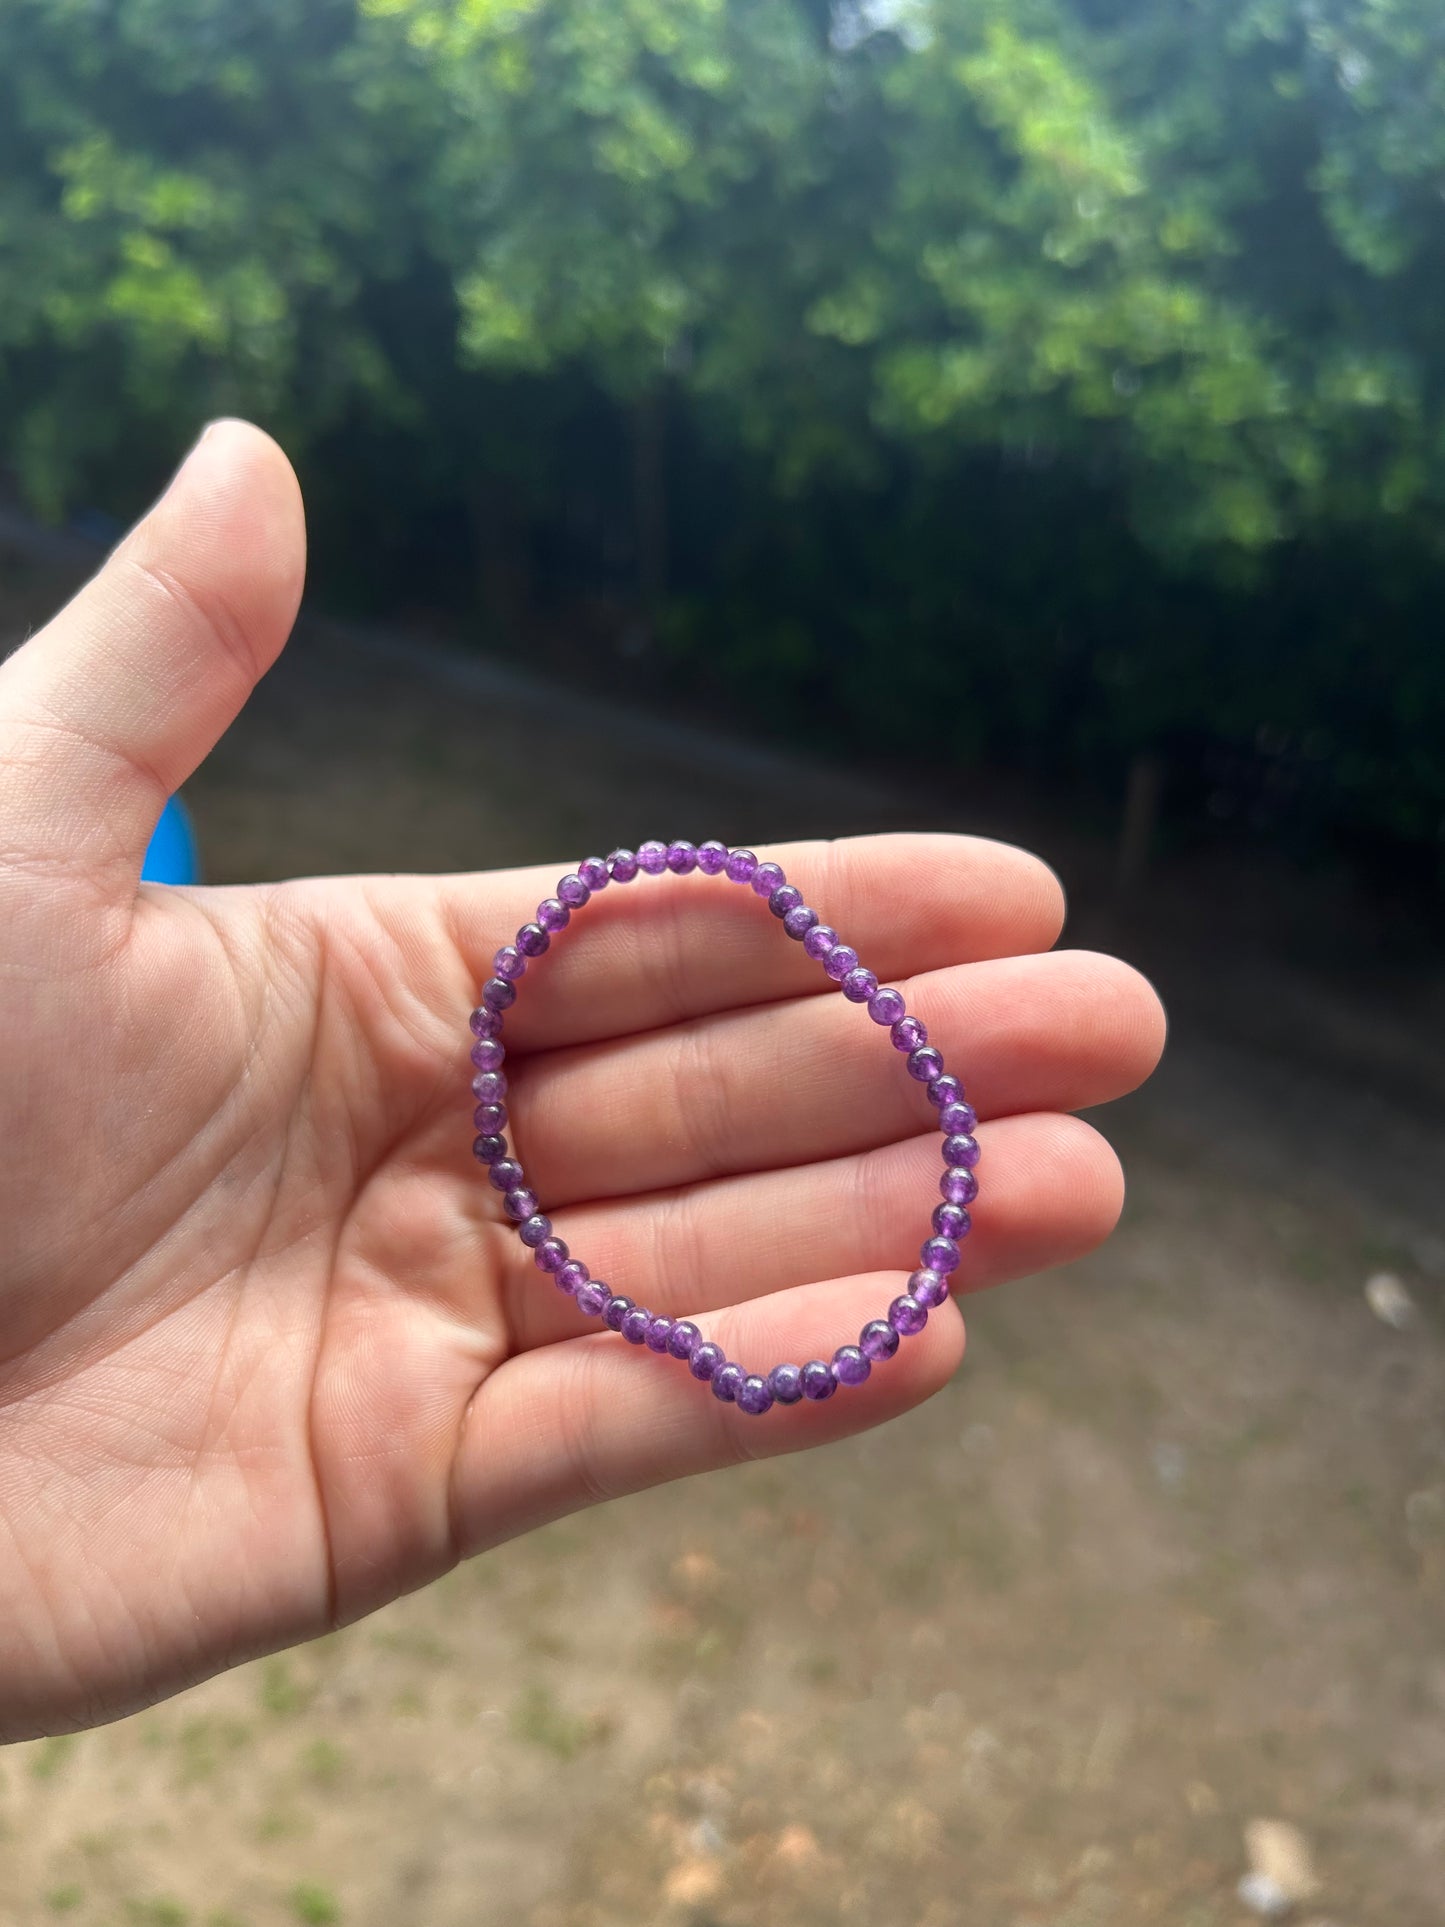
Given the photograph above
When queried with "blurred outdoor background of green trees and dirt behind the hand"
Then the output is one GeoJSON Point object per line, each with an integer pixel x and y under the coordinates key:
{"type": "Point", "coordinates": [837, 415]}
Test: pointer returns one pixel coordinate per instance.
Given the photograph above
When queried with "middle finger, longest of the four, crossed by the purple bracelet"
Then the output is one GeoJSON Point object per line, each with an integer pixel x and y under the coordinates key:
{"type": "Point", "coordinates": [816, 1078]}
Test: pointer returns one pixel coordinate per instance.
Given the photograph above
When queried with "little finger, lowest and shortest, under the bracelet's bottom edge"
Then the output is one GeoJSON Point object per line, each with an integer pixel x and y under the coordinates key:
{"type": "Point", "coordinates": [592, 1419]}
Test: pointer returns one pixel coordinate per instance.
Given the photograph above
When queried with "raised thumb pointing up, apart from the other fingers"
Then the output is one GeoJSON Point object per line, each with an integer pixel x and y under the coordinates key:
{"type": "Point", "coordinates": [115, 704]}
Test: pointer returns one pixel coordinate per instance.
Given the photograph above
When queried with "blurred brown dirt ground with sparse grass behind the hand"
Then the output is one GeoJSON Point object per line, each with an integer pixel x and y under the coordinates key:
{"type": "Point", "coordinates": [1169, 1556]}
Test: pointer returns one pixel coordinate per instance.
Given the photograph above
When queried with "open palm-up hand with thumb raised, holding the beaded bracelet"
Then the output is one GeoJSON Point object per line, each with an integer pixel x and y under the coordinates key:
{"type": "Point", "coordinates": [269, 1354]}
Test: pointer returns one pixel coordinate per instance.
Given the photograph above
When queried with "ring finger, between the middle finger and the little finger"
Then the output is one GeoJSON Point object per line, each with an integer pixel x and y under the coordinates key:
{"type": "Point", "coordinates": [1053, 1192]}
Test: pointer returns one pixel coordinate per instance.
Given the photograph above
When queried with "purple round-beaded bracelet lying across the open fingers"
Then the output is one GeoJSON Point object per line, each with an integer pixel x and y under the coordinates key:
{"type": "Point", "coordinates": [878, 1342]}
